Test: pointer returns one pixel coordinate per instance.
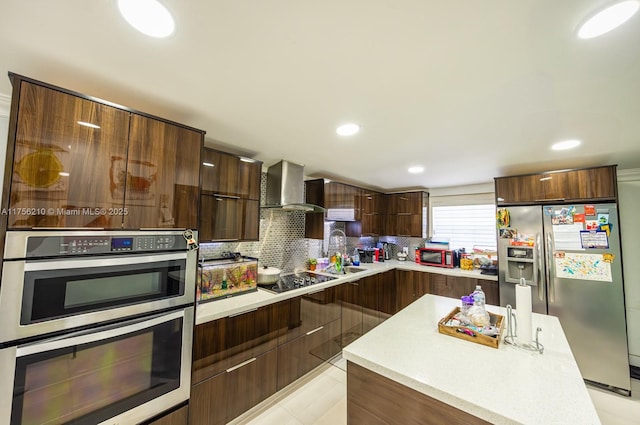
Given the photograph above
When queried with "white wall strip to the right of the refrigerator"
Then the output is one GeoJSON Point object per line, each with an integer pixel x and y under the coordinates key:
{"type": "Point", "coordinates": [629, 202]}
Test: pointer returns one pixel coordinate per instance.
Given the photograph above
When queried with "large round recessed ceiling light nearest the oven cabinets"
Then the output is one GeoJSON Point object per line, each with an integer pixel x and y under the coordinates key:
{"type": "Point", "coordinates": [149, 17]}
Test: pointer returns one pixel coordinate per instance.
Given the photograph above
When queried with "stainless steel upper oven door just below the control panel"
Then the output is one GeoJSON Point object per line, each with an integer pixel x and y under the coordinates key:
{"type": "Point", "coordinates": [38, 297]}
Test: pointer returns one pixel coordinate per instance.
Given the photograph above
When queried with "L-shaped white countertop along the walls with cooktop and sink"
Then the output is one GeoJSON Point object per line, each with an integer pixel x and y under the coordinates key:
{"type": "Point", "coordinates": [212, 310]}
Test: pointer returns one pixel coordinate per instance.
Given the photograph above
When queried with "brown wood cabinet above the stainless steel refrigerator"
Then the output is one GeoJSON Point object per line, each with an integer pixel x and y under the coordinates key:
{"type": "Point", "coordinates": [582, 185]}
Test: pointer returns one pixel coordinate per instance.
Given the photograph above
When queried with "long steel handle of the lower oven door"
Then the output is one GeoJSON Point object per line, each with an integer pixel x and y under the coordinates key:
{"type": "Point", "coordinates": [97, 334]}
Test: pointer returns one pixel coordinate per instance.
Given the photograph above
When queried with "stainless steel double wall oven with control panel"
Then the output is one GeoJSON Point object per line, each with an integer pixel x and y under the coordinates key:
{"type": "Point", "coordinates": [96, 326]}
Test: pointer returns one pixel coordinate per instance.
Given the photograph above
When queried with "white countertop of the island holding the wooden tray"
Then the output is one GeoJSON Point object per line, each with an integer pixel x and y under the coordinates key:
{"type": "Point", "coordinates": [503, 386]}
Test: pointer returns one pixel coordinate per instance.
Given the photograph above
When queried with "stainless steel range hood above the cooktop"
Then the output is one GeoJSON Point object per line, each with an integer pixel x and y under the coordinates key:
{"type": "Point", "coordinates": [285, 188]}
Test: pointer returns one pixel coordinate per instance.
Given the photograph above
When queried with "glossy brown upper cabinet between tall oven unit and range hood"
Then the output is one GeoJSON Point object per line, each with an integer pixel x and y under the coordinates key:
{"type": "Point", "coordinates": [229, 197]}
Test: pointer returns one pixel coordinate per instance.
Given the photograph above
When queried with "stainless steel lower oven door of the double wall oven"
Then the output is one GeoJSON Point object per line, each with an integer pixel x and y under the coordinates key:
{"type": "Point", "coordinates": [122, 373]}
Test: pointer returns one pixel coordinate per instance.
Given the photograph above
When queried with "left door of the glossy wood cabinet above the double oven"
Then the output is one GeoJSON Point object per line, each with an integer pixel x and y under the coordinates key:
{"type": "Point", "coordinates": [59, 170]}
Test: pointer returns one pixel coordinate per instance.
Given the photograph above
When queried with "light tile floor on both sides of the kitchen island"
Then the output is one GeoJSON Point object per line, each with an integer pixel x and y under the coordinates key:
{"type": "Point", "coordinates": [319, 398]}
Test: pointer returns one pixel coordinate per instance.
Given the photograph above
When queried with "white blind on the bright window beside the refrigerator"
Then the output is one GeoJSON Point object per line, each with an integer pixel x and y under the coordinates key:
{"type": "Point", "coordinates": [465, 221]}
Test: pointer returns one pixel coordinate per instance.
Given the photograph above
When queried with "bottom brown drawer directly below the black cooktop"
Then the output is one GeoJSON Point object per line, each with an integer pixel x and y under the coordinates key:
{"type": "Point", "coordinates": [301, 355]}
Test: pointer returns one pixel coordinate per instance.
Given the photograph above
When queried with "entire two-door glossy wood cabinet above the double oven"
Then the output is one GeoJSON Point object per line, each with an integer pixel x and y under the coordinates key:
{"type": "Point", "coordinates": [72, 161]}
